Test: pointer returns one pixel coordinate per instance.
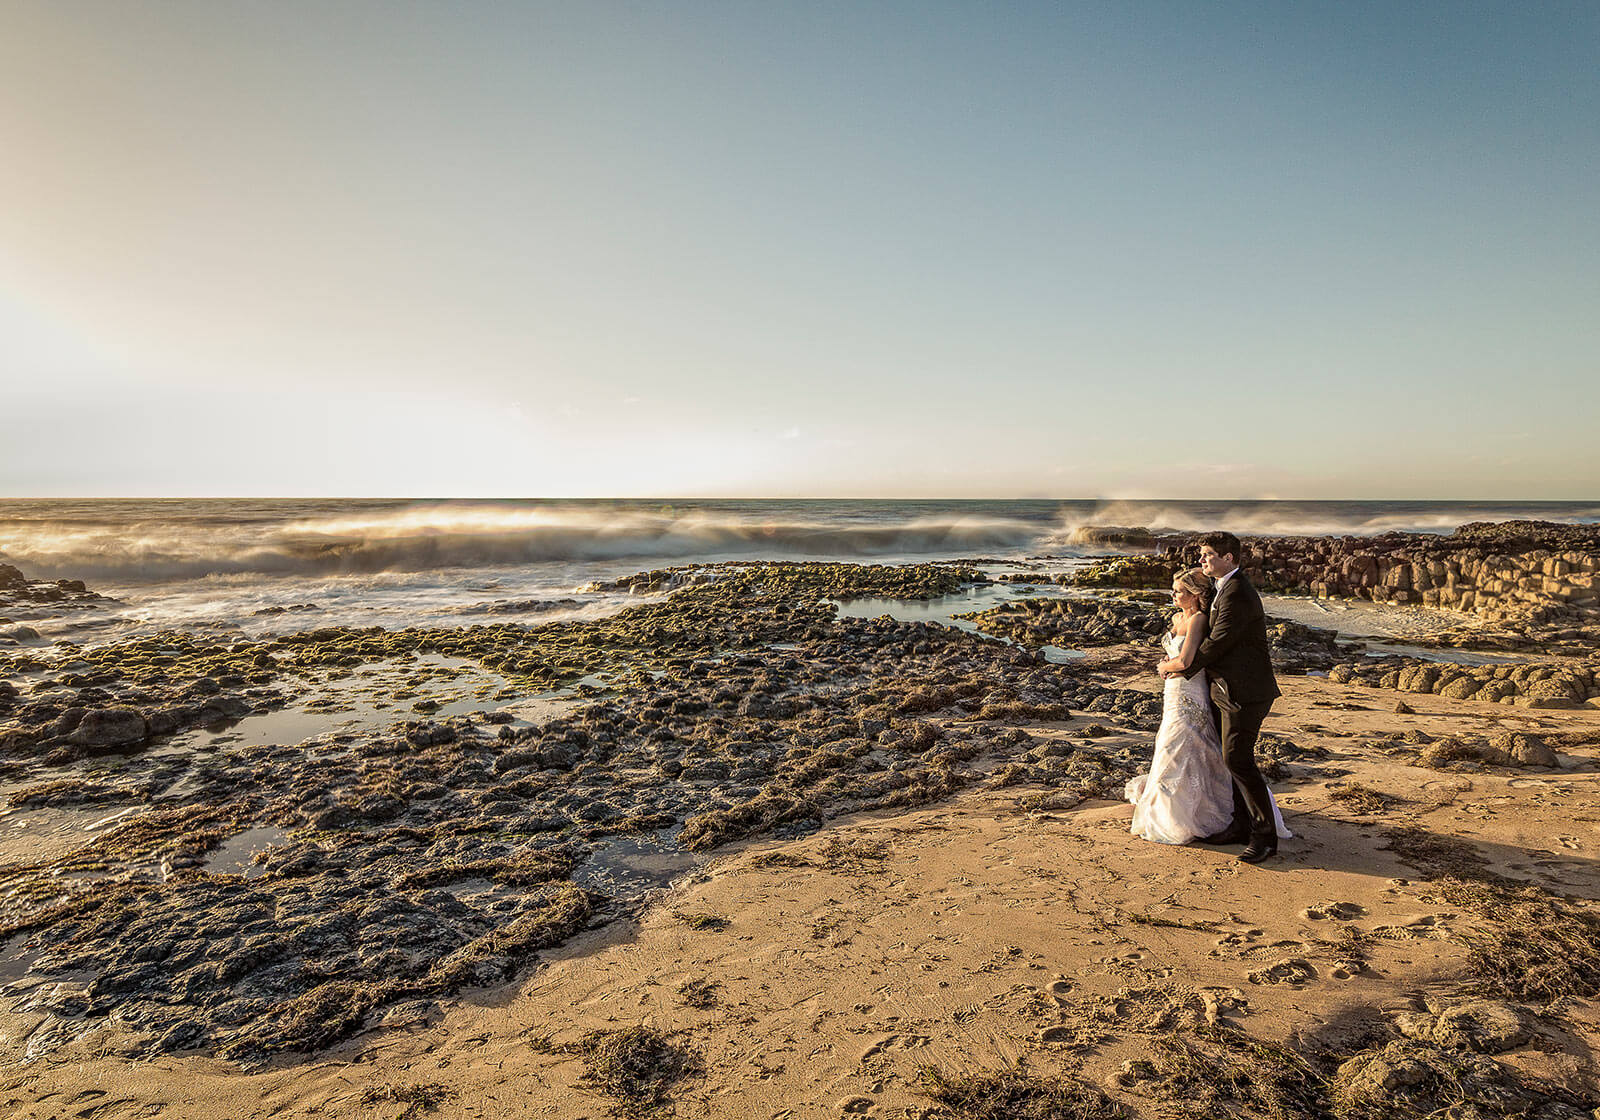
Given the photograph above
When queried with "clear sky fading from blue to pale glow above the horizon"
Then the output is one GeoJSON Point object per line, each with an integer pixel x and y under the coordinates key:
{"type": "Point", "coordinates": [959, 250]}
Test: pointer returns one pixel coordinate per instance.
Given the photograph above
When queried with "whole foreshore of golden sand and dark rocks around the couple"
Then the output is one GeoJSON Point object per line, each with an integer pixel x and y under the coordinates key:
{"type": "Point", "coordinates": [881, 870]}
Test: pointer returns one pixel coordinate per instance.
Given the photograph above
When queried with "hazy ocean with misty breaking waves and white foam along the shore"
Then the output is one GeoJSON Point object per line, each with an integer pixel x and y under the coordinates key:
{"type": "Point", "coordinates": [257, 567]}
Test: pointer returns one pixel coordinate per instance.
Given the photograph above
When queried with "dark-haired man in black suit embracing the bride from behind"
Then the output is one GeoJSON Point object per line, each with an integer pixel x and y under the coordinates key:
{"type": "Point", "coordinates": [1238, 655]}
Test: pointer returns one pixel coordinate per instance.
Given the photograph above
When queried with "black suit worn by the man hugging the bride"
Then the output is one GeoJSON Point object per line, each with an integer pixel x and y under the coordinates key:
{"type": "Point", "coordinates": [1239, 657]}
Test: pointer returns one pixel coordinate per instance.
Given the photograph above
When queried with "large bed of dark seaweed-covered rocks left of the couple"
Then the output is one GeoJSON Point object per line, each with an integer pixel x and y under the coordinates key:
{"type": "Point", "coordinates": [406, 865]}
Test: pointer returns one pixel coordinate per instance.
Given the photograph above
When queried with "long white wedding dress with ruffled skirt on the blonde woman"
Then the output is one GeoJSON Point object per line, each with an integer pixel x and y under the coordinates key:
{"type": "Point", "coordinates": [1188, 793]}
